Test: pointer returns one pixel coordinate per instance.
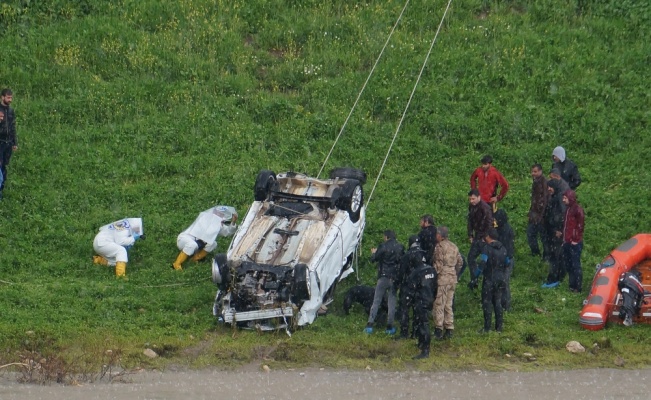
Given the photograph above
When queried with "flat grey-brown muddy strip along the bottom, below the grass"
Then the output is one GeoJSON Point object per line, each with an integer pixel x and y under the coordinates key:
{"type": "Point", "coordinates": [340, 384]}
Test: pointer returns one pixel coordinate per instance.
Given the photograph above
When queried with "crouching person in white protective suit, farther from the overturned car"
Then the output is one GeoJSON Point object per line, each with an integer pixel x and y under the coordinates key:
{"type": "Point", "coordinates": [113, 241]}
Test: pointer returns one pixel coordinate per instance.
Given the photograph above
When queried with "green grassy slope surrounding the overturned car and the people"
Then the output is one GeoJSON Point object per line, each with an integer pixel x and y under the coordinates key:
{"type": "Point", "coordinates": [159, 109]}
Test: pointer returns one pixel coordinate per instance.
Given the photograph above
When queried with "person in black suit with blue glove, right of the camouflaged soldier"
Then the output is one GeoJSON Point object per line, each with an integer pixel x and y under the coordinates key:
{"type": "Point", "coordinates": [493, 267]}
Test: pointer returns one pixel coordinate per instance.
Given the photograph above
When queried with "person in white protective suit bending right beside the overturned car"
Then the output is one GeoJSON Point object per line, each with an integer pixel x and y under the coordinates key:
{"type": "Point", "coordinates": [201, 237]}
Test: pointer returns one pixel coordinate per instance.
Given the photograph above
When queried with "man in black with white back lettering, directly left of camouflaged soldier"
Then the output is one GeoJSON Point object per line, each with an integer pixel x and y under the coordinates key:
{"type": "Point", "coordinates": [421, 287]}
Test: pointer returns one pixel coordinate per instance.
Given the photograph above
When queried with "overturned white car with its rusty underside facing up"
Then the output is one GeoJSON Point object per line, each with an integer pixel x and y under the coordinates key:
{"type": "Point", "coordinates": [296, 242]}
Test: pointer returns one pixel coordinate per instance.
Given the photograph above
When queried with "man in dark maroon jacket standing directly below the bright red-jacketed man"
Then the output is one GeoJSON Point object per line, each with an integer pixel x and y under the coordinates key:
{"type": "Point", "coordinates": [480, 220]}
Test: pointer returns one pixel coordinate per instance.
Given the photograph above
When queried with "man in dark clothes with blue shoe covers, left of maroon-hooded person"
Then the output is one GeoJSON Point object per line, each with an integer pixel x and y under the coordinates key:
{"type": "Point", "coordinates": [554, 220]}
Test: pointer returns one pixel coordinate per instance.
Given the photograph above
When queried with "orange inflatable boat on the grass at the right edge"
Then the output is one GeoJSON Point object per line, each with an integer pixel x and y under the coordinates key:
{"type": "Point", "coordinates": [604, 298]}
